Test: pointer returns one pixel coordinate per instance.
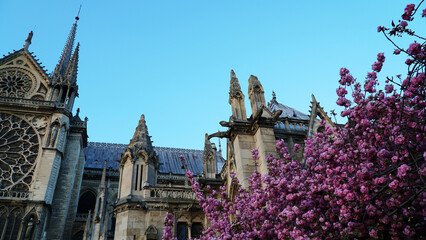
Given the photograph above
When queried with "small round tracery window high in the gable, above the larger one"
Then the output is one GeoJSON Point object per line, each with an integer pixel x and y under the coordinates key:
{"type": "Point", "coordinates": [14, 83]}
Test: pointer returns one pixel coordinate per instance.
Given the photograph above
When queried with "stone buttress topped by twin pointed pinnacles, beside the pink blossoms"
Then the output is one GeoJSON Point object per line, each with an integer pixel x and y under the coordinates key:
{"type": "Point", "coordinates": [246, 134]}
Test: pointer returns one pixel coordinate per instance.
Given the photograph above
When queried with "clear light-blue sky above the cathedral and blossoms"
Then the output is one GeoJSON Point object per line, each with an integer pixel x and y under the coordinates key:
{"type": "Point", "coordinates": [171, 60]}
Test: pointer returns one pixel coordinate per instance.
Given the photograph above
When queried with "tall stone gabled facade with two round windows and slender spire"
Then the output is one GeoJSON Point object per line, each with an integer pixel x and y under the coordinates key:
{"type": "Point", "coordinates": [41, 142]}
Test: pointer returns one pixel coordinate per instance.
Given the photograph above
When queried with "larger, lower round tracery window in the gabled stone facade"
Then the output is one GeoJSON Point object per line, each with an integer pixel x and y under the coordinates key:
{"type": "Point", "coordinates": [19, 146]}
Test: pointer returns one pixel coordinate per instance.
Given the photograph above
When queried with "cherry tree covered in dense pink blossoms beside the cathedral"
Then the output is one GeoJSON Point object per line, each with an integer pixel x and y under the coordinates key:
{"type": "Point", "coordinates": [365, 180]}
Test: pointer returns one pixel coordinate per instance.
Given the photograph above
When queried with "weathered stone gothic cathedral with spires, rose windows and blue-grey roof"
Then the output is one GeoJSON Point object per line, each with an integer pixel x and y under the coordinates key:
{"type": "Point", "coordinates": [56, 185]}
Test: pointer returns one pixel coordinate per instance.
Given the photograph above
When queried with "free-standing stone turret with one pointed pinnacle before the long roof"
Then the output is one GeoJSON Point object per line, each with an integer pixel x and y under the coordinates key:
{"type": "Point", "coordinates": [138, 170]}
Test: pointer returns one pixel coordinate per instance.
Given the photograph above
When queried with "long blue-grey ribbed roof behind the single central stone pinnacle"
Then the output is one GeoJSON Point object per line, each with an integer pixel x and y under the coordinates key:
{"type": "Point", "coordinates": [97, 153]}
